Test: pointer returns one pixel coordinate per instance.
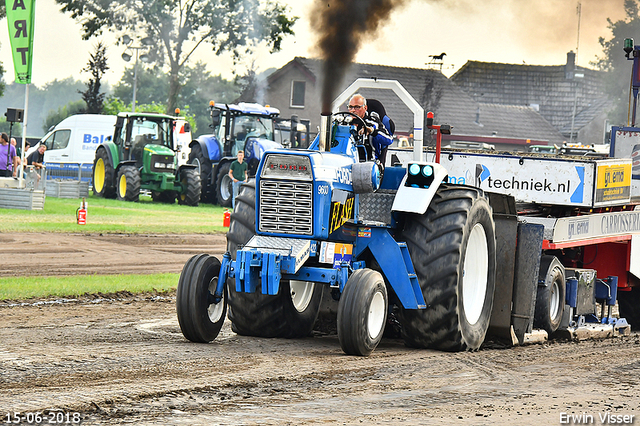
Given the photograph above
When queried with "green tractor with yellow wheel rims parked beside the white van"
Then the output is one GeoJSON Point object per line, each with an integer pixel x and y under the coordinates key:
{"type": "Point", "coordinates": [142, 156]}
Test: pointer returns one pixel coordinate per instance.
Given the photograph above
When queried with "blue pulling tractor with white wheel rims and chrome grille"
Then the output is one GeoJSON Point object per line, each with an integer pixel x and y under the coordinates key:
{"type": "Point", "coordinates": [380, 238]}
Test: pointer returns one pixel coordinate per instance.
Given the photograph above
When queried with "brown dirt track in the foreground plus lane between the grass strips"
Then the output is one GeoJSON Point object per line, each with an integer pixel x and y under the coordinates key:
{"type": "Point", "coordinates": [123, 360]}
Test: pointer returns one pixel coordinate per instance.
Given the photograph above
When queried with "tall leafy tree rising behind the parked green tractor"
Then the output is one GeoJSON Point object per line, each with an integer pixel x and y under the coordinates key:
{"type": "Point", "coordinates": [226, 25]}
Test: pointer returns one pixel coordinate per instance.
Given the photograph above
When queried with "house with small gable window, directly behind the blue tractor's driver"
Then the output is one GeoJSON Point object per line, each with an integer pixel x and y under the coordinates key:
{"type": "Point", "coordinates": [295, 89]}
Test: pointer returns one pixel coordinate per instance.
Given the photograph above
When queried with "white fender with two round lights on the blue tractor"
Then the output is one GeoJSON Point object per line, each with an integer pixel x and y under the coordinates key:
{"type": "Point", "coordinates": [419, 186]}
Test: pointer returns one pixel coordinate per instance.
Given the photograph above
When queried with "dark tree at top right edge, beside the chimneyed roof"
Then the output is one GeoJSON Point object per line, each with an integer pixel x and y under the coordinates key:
{"type": "Point", "coordinates": [614, 61]}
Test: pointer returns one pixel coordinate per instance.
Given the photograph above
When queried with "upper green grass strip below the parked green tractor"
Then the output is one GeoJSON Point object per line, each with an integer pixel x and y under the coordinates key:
{"type": "Point", "coordinates": [113, 216]}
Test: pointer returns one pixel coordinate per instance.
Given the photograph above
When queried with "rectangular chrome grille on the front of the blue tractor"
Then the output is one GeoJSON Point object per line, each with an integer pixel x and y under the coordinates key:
{"type": "Point", "coordinates": [286, 207]}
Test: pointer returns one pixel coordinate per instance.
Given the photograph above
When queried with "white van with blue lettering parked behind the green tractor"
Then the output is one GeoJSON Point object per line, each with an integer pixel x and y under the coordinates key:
{"type": "Point", "coordinates": [71, 145]}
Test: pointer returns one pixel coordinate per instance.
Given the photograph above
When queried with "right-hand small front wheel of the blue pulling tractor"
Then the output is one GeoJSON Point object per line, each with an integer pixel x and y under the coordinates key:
{"type": "Point", "coordinates": [362, 312]}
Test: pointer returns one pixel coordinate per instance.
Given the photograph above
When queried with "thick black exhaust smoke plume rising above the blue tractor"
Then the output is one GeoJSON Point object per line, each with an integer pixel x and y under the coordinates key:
{"type": "Point", "coordinates": [341, 28]}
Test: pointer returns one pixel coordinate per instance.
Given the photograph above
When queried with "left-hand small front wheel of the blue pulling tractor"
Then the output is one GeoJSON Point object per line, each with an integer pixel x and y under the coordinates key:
{"type": "Point", "coordinates": [200, 318]}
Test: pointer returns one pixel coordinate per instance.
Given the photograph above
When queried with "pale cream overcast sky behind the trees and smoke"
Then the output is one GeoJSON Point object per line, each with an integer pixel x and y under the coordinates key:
{"type": "Point", "coordinates": [536, 32]}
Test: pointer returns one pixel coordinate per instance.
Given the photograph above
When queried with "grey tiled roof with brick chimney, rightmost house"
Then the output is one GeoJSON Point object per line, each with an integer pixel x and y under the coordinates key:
{"type": "Point", "coordinates": [570, 97]}
